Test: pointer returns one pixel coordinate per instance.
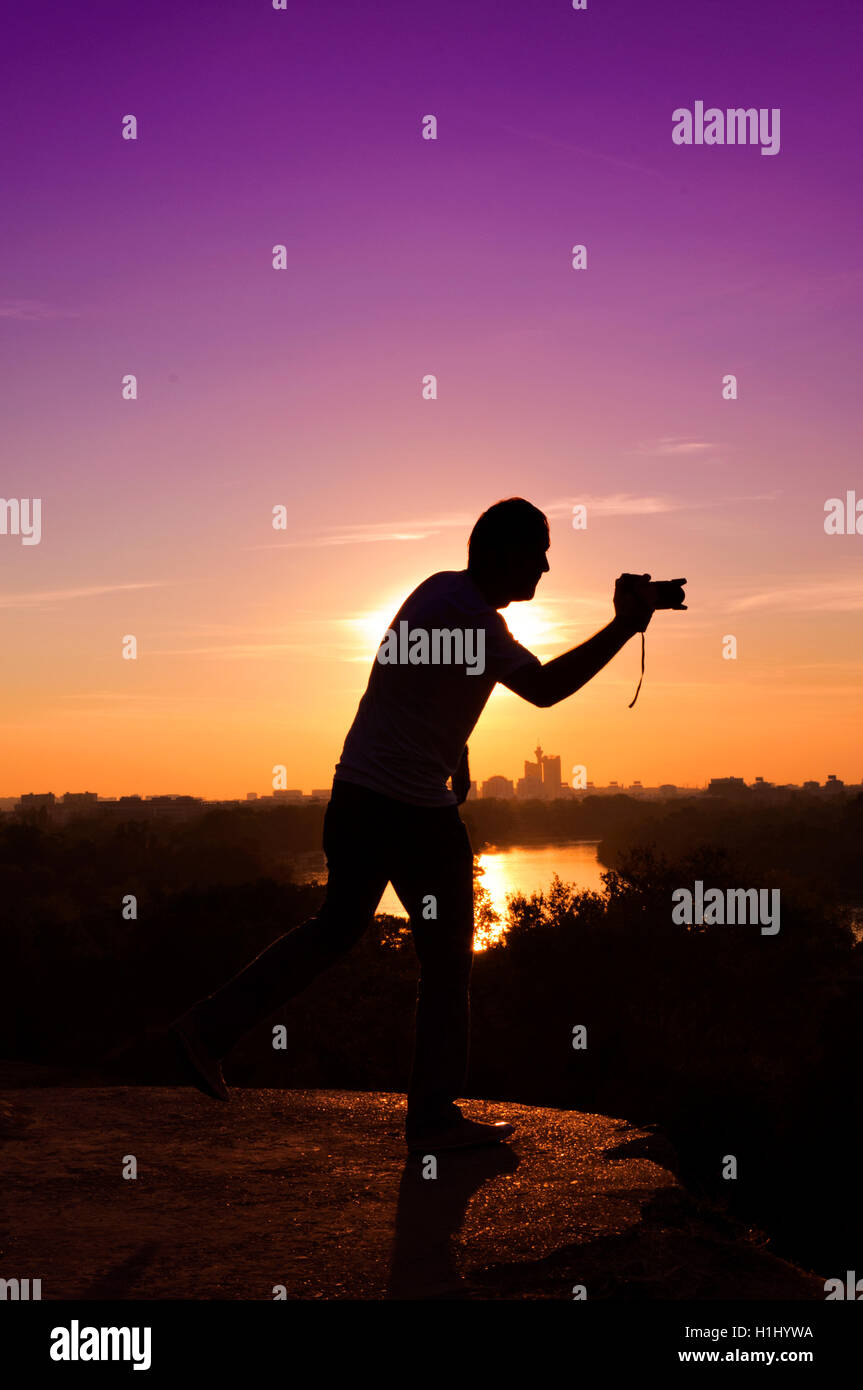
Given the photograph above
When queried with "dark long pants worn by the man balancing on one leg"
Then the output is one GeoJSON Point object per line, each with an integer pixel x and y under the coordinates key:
{"type": "Point", "coordinates": [426, 854]}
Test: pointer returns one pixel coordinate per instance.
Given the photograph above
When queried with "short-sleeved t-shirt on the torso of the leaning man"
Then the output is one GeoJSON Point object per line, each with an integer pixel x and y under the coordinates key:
{"type": "Point", "coordinates": [423, 701]}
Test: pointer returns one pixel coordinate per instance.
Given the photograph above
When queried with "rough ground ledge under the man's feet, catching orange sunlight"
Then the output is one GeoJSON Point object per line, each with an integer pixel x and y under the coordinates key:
{"type": "Point", "coordinates": [312, 1193]}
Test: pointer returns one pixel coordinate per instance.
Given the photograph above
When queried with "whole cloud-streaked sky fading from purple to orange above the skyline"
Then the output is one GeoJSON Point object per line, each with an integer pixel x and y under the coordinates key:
{"type": "Point", "coordinates": [406, 258]}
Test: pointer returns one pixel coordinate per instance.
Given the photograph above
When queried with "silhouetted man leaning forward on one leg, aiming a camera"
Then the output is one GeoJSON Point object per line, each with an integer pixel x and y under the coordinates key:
{"type": "Point", "coordinates": [393, 818]}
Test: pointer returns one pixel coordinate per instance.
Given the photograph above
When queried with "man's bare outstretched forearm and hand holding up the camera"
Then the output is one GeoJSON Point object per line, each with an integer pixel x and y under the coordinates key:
{"type": "Point", "coordinates": [557, 680]}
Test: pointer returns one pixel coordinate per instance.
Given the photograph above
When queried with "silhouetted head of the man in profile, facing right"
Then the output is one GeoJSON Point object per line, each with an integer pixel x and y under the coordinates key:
{"type": "Point", "coordinates": [507, 554]}
